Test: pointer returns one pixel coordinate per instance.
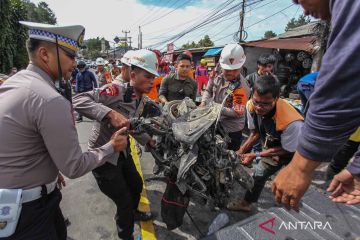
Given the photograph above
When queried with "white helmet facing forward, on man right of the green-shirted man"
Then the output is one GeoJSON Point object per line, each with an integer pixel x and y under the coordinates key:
{"type": "Point", "coordinates": [232, 57]}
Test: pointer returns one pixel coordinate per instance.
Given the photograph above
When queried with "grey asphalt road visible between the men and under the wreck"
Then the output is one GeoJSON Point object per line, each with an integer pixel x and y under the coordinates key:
{"type": "Point", "coordinates": [92, 214]}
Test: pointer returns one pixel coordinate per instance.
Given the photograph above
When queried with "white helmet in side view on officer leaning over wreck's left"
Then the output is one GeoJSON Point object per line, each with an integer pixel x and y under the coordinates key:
{"type": "Point", "coordinates": [146, 60]}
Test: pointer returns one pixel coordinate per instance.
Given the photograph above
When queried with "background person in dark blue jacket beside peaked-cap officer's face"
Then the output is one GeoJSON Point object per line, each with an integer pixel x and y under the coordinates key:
{"type": "Point", "coordinates": [85, 81]}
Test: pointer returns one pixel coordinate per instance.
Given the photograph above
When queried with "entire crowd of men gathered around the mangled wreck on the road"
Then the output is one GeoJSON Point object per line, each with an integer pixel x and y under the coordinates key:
{"type": "Point", "coordinates": [39, 142]}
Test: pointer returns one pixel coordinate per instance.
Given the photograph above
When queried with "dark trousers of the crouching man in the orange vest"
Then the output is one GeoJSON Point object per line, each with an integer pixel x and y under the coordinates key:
{"type": "Point", "coordinates": [263, 171]}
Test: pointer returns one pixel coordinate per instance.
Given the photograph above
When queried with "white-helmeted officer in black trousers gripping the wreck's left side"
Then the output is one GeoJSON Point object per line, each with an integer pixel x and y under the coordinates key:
{"type": "Point", "coordinates": [118, 178]}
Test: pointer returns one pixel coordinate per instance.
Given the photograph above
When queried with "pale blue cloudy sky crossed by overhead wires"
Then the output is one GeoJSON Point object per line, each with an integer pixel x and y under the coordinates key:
{"type": "Point", "coordinates": [161, 20]}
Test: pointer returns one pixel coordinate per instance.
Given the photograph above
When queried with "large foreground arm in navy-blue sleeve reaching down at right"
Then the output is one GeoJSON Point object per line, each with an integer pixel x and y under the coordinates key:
{"type": "Point", "coordinates": [334, 111]}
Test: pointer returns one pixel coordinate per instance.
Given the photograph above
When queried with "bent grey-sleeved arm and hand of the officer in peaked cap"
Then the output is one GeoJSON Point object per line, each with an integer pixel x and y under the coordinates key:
{"type": "Point", "coordinates": [57, 128]}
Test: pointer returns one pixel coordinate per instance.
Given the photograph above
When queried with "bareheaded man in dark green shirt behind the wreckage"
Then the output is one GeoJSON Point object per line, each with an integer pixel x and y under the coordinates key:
{"type": "Point", "coordinates": [178, 85]}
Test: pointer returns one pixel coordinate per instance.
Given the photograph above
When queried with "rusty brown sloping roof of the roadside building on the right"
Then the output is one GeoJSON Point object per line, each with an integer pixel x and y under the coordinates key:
{"type": "Point", "coordinates": [299, 43]}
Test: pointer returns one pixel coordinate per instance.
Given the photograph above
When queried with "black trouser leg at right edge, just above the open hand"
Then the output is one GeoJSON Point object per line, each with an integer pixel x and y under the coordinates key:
{"type": "Point", "coordinates": [342, 158]}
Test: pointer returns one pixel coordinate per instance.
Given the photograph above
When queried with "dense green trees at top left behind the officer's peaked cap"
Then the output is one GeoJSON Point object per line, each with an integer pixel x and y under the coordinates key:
{"type": "Point", "coordinates": [13, 35]}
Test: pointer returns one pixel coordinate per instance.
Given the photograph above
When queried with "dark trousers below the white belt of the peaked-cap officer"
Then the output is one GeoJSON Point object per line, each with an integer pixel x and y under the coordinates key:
{"type": "Point", "coordinates": [41, 219]}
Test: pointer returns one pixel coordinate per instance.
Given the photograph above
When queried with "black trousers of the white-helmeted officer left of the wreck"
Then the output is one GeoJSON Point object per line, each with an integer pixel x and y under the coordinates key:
{"type": "Point", "coordinates": [123, 185]}
